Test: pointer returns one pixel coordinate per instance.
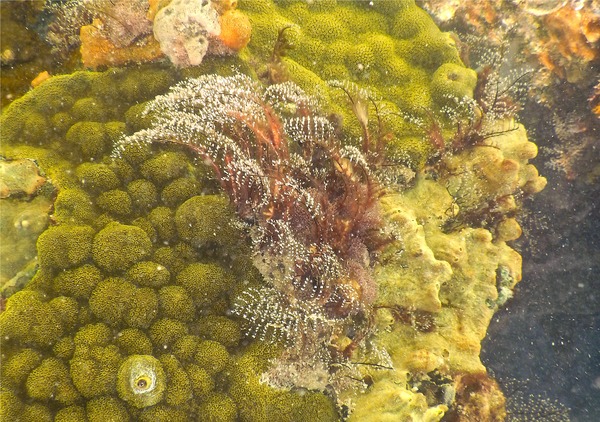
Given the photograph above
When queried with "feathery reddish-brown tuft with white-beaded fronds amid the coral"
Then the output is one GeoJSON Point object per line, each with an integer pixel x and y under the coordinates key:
{"type": "Point", "coordinates": [308, 203]}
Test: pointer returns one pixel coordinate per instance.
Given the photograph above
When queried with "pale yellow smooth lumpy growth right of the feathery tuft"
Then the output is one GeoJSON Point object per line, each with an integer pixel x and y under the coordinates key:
{"type": "Point", "coordinates": [438, 295]}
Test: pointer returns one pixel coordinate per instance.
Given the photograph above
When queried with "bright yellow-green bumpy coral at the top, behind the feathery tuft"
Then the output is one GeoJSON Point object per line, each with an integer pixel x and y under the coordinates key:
{"type": "Point", "coordinates": [393, 47]}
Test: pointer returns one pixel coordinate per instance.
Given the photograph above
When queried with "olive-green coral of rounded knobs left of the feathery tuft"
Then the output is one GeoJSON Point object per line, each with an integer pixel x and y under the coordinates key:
{"type": "Point", "coordinates": [126, 318]}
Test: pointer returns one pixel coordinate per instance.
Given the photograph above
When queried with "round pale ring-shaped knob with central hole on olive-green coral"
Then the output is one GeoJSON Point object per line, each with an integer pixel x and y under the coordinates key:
{"type": "Point", "coordinates": [141, 381]}
